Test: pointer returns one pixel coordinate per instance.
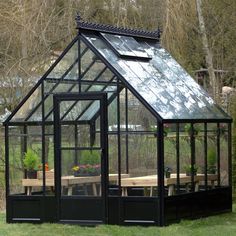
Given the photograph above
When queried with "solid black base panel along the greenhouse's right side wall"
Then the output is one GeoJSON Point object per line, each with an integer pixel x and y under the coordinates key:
{"type": "Point", "coordinates": [197, 204]}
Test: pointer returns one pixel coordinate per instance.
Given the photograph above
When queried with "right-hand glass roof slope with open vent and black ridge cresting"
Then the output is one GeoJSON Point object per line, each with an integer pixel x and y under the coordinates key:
{"type": "Point", "coordinates": [152, 72]}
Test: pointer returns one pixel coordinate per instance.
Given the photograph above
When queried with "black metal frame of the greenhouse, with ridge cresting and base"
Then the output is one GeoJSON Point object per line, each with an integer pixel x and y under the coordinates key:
{"type": "Point", "coordinates": [118, 209]}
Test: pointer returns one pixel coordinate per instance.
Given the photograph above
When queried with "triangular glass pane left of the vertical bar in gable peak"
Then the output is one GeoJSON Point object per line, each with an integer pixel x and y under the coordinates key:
{"type": "Point", "coordinates": [67, 68]}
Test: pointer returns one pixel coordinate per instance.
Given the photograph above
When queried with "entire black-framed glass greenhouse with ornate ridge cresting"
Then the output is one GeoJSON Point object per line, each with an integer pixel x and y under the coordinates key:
{"type": "Point", "coordinates": [117, 132]}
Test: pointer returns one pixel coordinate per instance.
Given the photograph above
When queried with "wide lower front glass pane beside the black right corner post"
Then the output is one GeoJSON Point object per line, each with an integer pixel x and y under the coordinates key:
{"type": "Point", "coordinates": [141, 165]}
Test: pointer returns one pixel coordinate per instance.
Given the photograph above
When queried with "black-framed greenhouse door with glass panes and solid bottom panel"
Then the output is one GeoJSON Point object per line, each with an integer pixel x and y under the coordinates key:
{"type": "Point", "coordinates": [80, 128]}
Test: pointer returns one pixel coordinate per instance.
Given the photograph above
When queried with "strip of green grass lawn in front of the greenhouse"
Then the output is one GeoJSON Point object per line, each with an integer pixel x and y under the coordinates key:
{"type": "Point", "coordinates": [224, 224]}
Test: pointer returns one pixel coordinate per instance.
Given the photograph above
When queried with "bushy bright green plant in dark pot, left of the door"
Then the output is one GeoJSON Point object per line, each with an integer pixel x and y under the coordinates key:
{"type": "Point", "coordinates": [30, 162]}
